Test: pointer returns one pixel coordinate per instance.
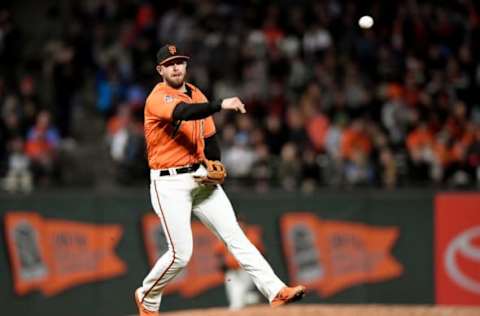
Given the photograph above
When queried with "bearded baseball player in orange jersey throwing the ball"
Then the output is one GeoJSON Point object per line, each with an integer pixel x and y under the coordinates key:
{"type": "Point", "coordinates": [185, 174]}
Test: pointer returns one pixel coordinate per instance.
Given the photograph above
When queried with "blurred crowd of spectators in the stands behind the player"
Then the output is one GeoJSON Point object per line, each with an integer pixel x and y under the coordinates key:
{"type": "Point", "coordinates": [329, 104]}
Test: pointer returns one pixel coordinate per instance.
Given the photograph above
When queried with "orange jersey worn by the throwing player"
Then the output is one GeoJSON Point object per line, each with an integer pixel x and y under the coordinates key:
{"type": "Point", "coordinates": [168, 147]}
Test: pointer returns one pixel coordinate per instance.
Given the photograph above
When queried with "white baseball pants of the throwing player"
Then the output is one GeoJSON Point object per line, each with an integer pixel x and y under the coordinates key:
{"type": "Point", "coordinates": [174, 198]}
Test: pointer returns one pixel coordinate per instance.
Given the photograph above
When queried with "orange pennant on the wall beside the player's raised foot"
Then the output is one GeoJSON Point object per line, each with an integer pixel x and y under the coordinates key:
{"type": "Point", "coordinates": [330, 256]}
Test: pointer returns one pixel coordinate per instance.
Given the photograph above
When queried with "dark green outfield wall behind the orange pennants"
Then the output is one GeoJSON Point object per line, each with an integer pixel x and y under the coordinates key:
{"type": "Point", "coordinates": [410, 211]}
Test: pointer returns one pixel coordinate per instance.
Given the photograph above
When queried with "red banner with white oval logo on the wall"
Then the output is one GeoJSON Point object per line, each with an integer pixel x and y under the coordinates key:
{"type": "Point", "coordinates": [457, 249]}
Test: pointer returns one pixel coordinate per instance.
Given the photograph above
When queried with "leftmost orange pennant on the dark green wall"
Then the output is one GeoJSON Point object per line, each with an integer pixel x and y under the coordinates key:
{"type": "Point", "coordinates": [52, 255]}
